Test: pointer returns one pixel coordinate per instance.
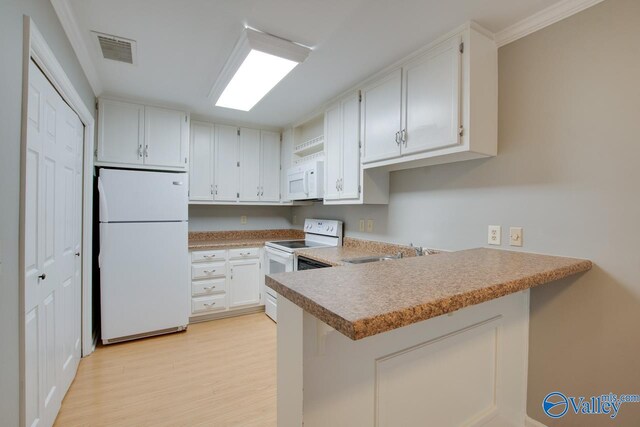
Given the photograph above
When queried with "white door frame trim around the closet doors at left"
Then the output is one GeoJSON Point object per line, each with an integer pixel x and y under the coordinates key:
{"type": "Point", "coordinates": [35, 48]}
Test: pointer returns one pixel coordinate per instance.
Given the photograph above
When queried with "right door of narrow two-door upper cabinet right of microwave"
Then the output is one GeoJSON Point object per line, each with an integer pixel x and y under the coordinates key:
{"type": "Point", "coordinates": [350, 148]}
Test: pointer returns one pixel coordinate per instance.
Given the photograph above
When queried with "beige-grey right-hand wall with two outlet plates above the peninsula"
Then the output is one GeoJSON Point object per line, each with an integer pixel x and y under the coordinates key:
{"type": "Point", "coordinates": [568, 172]}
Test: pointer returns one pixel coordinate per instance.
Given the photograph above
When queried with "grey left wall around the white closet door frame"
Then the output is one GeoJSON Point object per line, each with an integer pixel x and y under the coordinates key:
{"type": "Point", "coordinates": [11, 15]}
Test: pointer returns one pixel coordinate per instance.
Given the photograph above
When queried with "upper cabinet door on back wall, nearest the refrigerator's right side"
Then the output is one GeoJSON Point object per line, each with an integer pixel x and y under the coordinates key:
{"type": "Point", "coordinates": [201, 167]}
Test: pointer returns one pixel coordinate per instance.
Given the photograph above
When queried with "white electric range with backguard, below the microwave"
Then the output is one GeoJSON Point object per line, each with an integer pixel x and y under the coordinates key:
{"type": "Point", "coordinates": [280, 256]}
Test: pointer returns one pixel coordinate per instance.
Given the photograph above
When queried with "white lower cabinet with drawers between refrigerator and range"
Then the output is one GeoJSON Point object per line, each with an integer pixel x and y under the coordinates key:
{"type": "Point", "coordinates": [225, 280]}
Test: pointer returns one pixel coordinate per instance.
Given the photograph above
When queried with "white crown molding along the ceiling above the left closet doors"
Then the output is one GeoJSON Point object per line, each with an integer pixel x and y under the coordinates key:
{"type": "Point", "coordinates": [69, 23]}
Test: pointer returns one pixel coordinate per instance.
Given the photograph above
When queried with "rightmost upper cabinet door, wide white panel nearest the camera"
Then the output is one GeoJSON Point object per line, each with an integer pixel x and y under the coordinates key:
{"type": "Point", "coordinates": [432, 99]}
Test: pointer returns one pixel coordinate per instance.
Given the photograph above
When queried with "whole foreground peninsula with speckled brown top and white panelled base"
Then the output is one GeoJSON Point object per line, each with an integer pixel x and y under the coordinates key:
{"type": "Point", "coordinates": [434, 340]}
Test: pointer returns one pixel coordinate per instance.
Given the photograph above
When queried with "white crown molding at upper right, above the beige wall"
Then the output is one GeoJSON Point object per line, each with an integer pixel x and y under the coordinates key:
{"type": "Point", "coordinates": [542, 19]}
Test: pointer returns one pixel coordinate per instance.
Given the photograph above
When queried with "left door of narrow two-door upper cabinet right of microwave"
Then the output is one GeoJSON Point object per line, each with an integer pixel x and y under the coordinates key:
{"type": "Point", "coordinates": [332, 152]}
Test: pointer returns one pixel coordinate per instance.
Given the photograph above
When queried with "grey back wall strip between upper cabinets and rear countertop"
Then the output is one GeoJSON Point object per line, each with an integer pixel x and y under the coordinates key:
{"type": "Point", "coordinates": [224, 218]}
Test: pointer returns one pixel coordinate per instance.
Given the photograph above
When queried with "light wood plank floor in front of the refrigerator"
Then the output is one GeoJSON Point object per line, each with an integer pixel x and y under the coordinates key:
{"type": "Point", "coordinates": [220, 373]}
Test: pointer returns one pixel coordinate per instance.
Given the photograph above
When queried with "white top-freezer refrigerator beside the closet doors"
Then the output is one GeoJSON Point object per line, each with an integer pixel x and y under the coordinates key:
{"type": "Point", "coordinates": [144, 265]}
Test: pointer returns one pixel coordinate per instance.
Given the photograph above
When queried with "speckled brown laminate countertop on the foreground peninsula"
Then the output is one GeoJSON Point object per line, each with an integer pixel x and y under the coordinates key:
{"type": "Point", "coordinates": [368, 299]}
